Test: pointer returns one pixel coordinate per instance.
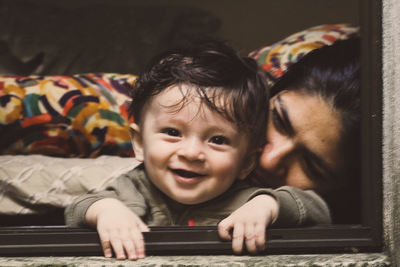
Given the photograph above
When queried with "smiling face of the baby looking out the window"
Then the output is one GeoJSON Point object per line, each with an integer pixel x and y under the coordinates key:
{"type": "Point", "coordinates": [191, 153]}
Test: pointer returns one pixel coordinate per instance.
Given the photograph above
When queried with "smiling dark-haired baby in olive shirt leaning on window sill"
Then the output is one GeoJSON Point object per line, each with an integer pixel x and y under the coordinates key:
{"type": "Point", "coordinates": [200, 119]}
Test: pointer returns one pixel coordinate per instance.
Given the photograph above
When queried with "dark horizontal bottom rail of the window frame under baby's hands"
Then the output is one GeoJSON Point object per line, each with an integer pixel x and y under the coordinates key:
{"type": "Point", "coordinates": [63, 241]}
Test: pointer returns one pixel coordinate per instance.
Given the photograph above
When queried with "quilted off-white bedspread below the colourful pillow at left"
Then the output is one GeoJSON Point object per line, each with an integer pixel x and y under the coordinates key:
{"type": "Point", "coordinates": [34, 183]}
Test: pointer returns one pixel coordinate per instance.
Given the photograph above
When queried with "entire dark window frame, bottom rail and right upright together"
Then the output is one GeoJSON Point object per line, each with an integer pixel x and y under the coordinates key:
{"type": "Point", "coordinates": [367, 236]}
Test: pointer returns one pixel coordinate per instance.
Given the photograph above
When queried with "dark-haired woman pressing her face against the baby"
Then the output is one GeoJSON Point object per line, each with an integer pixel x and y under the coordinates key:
{"type": "Point", "coordinates": [313, 130]}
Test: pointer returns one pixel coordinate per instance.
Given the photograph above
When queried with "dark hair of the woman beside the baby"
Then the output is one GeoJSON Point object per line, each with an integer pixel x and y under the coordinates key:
{"type": "Point", "coordinates": [333, 73]}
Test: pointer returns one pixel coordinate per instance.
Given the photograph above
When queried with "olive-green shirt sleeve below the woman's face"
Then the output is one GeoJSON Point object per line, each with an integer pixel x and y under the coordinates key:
{"type": "Point", "coordinates": [298, 207]}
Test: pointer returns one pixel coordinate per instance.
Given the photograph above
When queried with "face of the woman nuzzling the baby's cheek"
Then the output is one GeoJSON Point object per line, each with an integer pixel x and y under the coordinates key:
{"type": "Point", "coordinates": [302, 147]}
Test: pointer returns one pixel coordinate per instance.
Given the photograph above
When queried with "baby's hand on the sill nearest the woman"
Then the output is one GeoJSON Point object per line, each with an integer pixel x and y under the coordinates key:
{"type": "Point", "coordinates": [249, 223]}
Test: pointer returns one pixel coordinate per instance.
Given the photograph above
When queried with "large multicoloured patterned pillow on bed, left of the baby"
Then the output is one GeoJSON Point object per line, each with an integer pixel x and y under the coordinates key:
{"type": "Point", "coordinates": [66, 116]}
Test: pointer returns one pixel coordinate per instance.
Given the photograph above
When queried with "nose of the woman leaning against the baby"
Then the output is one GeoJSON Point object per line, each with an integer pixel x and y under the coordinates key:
{"type": "Point", "coordinates": [274, 156]}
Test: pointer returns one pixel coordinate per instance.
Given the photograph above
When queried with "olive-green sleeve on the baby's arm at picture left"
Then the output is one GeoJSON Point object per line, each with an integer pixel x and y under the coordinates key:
{"type": "Point", "coordinates": [123, 188]}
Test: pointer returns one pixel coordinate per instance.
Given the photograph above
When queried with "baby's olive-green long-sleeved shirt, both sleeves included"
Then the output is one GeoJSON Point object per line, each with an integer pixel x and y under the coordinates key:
{"type": "Point", "coordinates": [296, 207]}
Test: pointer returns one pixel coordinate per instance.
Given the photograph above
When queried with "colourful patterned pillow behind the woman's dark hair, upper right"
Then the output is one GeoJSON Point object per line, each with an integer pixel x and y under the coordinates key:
{"type": "Point", "coordinates": [276, 58]}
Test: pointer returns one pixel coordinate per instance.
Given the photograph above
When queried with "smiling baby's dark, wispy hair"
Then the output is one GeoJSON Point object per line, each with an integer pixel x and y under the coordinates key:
{"type": "Point", "coordinates": [216, 72]}
